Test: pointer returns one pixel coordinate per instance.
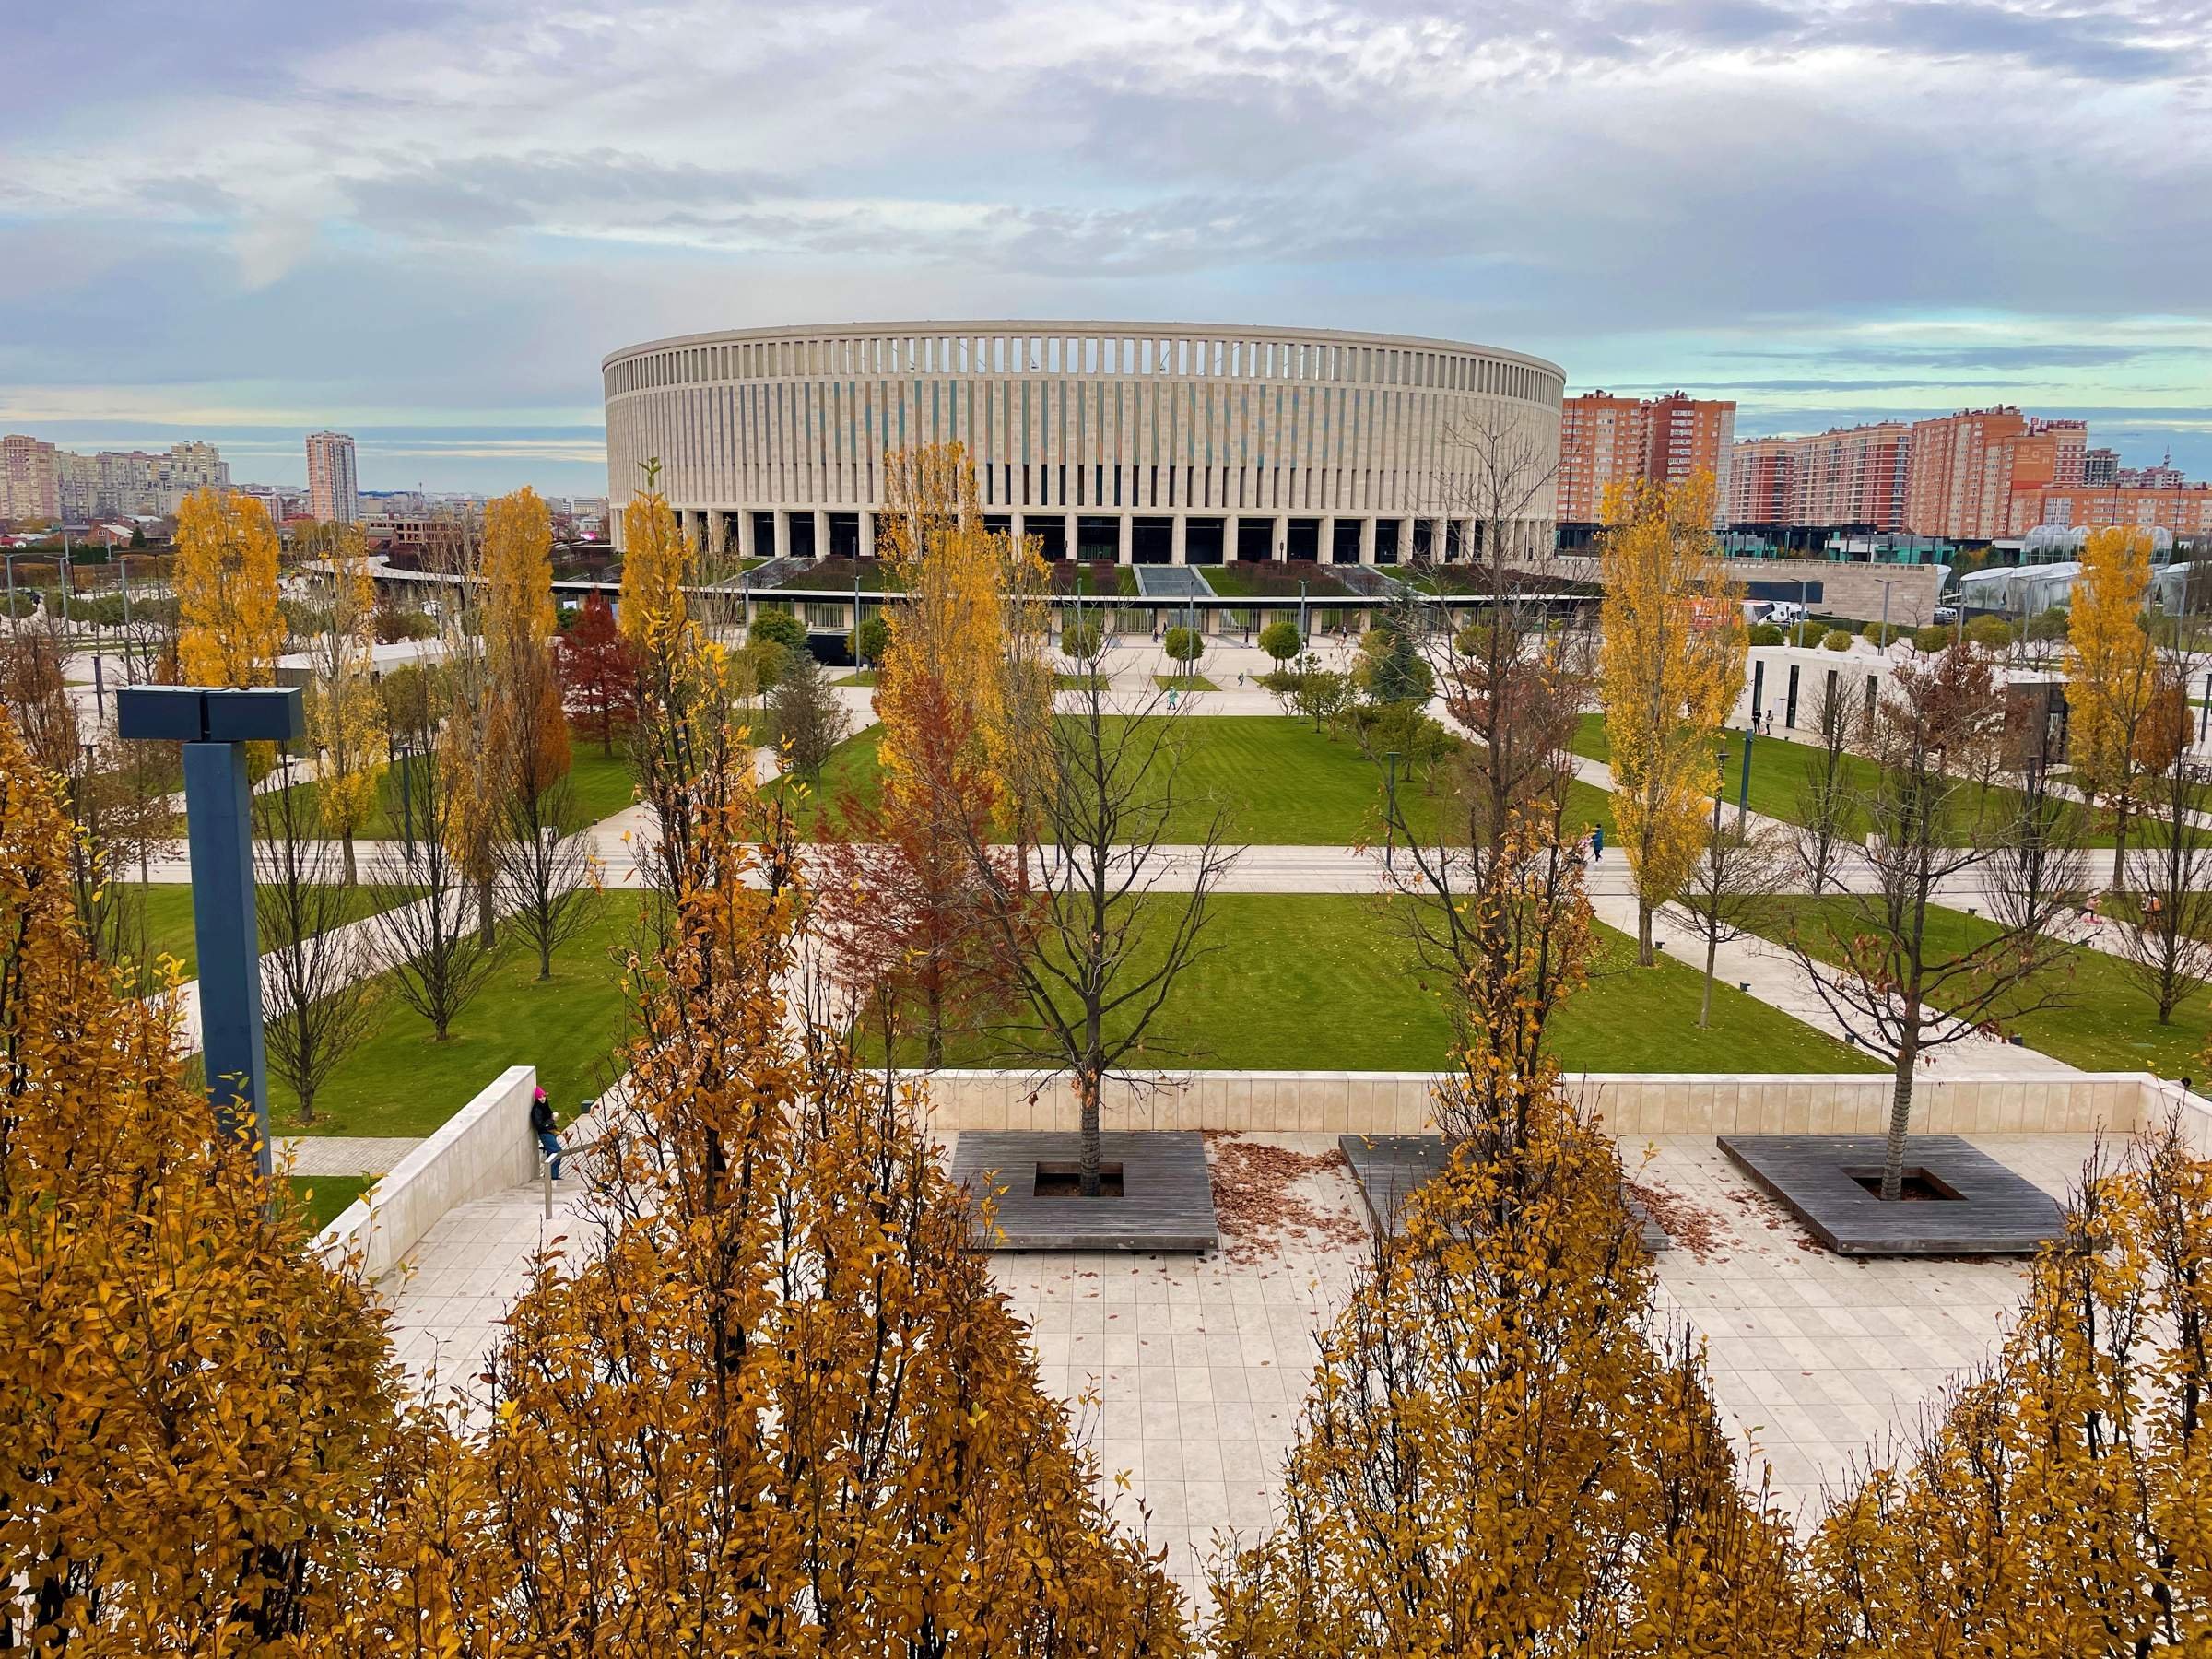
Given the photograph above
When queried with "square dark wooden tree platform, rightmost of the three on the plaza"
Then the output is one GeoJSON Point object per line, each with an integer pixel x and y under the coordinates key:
{"type": "Point", "coordinates": [1961, 1202]}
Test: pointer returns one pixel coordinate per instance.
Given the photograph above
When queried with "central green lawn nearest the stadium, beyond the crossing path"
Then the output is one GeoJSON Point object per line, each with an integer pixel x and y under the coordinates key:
{"type": "Point", "coordinates": [1284, 782]}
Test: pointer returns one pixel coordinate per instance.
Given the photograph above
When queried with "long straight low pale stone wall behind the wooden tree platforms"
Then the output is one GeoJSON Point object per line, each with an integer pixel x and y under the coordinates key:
{"type": "Point", "coordinates": [1397, 1103]}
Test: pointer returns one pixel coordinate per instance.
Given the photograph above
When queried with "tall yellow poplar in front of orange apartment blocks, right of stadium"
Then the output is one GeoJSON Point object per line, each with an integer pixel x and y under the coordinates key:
{"type": "Point", "coordinates": [1669, 671]}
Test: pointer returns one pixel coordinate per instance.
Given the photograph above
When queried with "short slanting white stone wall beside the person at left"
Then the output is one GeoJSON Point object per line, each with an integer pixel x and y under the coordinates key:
{"type": "Point", "coordinates": [483, 1149]}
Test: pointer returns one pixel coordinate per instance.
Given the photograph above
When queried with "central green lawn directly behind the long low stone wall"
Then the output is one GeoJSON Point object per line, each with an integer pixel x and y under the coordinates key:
{"type": "Point", "coordinates": [1328, 983]}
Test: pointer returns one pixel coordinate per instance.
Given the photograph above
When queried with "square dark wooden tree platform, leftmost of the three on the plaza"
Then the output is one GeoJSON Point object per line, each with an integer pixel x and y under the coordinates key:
{"type": "Point", "coordinates": [1162, 1193]}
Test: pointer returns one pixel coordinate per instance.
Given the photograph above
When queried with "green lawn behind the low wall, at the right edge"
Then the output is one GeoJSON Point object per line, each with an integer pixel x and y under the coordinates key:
{"type": "Point", "coordinates": [2107, 1025]}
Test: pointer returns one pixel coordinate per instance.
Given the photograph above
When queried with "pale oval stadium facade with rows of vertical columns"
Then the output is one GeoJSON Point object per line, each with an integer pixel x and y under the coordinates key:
{"type": "Point", "coordinates": [1142, 444]}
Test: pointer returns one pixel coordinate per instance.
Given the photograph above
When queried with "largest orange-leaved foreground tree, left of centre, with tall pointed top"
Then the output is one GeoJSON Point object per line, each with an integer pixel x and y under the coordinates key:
{"type": "Point", "coordinates": [782, 1284]}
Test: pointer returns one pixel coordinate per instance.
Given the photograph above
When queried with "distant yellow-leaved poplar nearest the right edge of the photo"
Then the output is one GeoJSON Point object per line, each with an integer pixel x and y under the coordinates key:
{"type": "Point", "coordinates": [2114, 678]}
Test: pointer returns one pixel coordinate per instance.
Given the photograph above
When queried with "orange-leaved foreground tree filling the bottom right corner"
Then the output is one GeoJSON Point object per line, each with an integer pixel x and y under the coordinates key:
{"type": "Point", "coordinates": [2063, 1501]}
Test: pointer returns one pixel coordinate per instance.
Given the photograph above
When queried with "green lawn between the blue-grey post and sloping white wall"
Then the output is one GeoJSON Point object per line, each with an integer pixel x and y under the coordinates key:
{"type": "Point", "coordinates": [404, 1083]}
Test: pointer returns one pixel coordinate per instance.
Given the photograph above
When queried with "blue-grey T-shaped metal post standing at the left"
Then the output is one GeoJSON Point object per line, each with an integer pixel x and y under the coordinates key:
{"type": "Point", "coordinates": [216, 727]}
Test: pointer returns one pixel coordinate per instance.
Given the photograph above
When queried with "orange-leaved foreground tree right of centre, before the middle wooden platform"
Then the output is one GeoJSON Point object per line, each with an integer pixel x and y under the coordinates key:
{"type": "Point", "coordinates": [1496, 1454]}
